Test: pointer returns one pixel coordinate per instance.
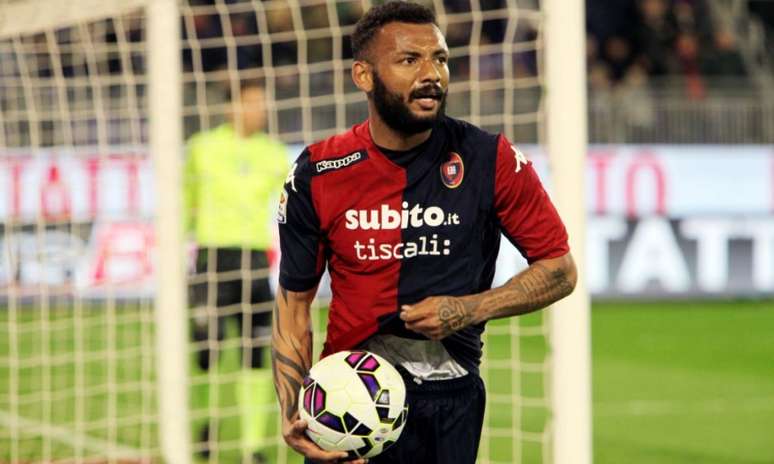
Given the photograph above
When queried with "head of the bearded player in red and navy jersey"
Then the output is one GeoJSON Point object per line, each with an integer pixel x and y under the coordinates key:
{"type": "Point", "coordinates": [401, 62]}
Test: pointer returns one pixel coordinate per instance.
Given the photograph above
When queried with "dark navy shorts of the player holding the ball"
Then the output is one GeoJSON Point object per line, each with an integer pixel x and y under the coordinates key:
{"type": "Point", "coordinates": [444, 423]}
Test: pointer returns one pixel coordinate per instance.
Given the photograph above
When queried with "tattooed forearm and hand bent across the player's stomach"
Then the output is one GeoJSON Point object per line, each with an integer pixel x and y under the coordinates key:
{"type": "Point", "coordinates": [541, 284]}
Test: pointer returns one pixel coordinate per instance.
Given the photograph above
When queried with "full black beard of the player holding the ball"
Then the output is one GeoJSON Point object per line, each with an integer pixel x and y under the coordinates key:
{"type": "Point", "coordinates": [396, 113]}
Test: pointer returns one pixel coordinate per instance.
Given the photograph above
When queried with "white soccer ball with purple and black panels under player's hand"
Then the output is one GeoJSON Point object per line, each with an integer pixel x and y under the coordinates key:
{"type": "Point", "coordinates": [353, 401]}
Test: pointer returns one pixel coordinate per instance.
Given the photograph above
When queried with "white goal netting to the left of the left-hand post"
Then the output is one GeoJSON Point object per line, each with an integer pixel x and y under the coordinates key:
{"type": "Point", "coordinates": [76, 357]}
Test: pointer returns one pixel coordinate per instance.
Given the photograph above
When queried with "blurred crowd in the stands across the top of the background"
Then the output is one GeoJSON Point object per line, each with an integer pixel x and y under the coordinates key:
{"type": "Point", "coordinates": [659, 71]}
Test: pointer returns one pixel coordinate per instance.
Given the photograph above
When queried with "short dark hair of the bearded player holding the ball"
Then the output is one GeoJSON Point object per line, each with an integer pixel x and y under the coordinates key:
{"type": "Point", "coordinates": [381, 15]}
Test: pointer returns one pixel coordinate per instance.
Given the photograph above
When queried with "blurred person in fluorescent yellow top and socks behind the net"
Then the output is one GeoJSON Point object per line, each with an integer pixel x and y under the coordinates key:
{"type": "Point", "coordinates": [233, 174]}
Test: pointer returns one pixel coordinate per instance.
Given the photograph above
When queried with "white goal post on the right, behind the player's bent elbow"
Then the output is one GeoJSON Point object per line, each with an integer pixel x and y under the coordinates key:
{"type": "Point", "coordinates": [566, 133]}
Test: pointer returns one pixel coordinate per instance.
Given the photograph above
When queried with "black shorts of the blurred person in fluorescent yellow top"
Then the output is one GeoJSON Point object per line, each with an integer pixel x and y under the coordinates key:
{"type": "Point", "coordinates": [231, 288]}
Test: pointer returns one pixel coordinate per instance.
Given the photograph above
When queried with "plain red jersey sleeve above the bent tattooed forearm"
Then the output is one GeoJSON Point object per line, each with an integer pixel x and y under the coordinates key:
{"type": "Point", "coordinates": [524, 211]}
